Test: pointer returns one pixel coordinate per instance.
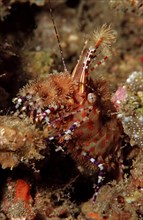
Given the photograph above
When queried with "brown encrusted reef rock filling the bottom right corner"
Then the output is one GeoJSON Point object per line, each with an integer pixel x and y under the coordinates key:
{"type": "Point", "coordinates": [123, 200]}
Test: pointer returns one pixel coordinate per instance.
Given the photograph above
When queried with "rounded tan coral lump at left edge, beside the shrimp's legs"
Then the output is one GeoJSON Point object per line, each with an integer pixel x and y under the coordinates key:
{"type": "Point", "coordinates": [18, 145]}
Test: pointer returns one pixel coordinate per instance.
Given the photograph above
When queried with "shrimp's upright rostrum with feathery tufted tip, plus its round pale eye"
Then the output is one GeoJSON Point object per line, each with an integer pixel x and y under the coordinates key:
{"type": "Point", "coordinates": [95, 52]}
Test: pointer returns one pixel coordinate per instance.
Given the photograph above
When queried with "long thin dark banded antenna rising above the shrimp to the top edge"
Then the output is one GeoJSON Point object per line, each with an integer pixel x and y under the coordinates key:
{"type": "Point", "coordinates": [57, 36]}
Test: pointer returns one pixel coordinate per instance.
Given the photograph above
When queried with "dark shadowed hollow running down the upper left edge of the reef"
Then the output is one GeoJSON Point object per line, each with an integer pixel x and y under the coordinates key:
{"type": "Point", "coordinates": [15, 30]}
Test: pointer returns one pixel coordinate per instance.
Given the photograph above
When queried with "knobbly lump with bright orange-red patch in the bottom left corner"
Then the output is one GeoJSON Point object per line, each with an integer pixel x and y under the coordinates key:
{"type": "Point", "coordinates": [17, 201]}
